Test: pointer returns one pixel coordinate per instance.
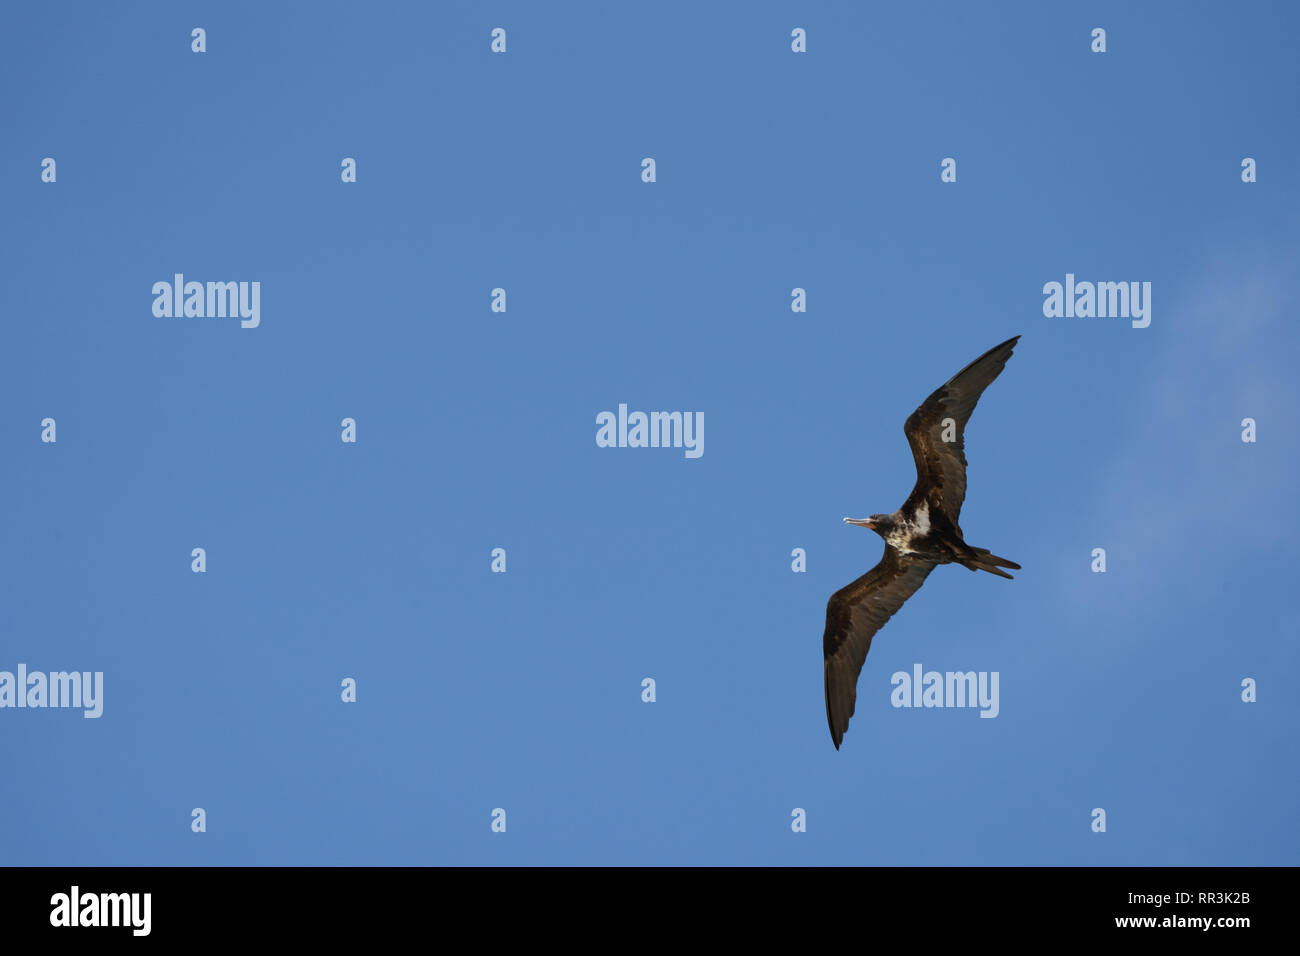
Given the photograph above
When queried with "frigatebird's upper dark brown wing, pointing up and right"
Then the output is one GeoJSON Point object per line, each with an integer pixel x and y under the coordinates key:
{"type": "Point", "coordinates": [942, 465]}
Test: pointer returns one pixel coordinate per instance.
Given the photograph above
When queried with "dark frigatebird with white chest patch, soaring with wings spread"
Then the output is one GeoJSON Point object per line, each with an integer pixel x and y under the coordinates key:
{"type": "Point", "coordinates": [918, 537]}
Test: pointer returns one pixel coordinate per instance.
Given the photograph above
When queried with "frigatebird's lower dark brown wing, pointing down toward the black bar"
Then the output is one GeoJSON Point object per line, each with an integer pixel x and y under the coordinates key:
{"type": "Point", "coordinates": [853, 616]}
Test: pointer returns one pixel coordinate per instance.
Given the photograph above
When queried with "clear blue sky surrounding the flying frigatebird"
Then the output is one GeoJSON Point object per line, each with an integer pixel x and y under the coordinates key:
{"type": "Point", "coordinates": [476, 431]}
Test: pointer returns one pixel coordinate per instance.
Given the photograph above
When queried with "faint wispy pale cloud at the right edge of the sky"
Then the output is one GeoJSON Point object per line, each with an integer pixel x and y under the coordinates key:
{"type": "Point", "coordinates": [1184, 486]}
